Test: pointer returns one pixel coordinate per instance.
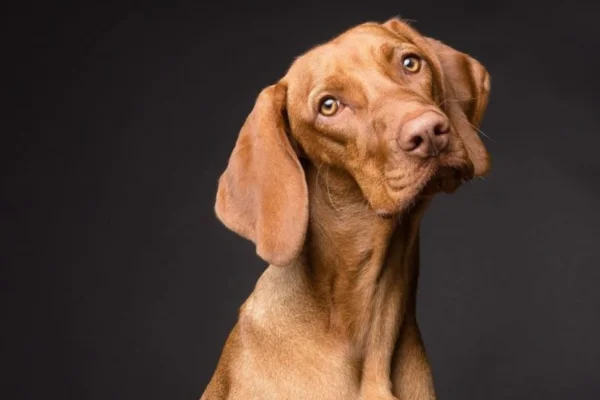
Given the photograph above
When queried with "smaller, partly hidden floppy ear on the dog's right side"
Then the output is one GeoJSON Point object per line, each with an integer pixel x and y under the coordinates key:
{"type": "Point", "coordinates": [466, 90]}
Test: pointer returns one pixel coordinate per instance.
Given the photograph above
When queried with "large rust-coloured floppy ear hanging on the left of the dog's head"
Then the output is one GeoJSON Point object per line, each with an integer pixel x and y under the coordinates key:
{"type": "Point", "coordinates": [262, 195]}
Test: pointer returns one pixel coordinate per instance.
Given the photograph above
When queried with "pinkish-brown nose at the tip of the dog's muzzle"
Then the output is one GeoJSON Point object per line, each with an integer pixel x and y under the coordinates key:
{"type": "Point", "coordinates": [426, 135]}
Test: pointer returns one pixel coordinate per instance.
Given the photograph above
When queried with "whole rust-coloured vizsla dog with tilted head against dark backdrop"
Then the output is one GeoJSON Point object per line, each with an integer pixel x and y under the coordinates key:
{"type": "Point", "coordinates": [330, 177]}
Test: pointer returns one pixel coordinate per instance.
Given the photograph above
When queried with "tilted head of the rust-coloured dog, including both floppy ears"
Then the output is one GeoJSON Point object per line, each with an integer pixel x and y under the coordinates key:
{"type": "Point", "coordinates": [397, 111]}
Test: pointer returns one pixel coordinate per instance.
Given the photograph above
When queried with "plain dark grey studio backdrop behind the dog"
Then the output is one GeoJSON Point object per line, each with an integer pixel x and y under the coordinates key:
{"type": "Point", "coordinates": [118, 281]}
